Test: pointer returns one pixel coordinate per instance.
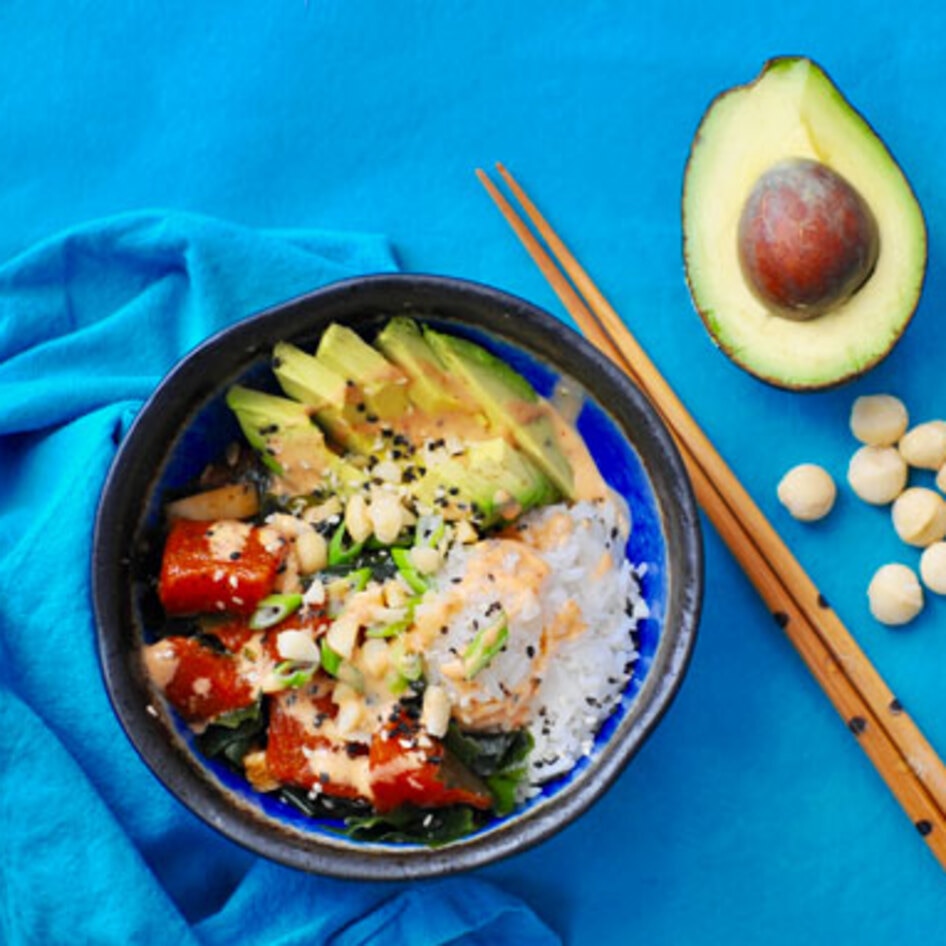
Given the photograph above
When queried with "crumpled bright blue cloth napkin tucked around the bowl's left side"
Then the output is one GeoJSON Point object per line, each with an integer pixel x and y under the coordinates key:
{"type": "Point", "coordinates": [93, 848]}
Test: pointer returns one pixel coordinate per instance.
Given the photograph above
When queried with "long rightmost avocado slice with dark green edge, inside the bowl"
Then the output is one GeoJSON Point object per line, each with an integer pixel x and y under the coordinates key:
{"type": "Point", "coordinates": [510, 402]}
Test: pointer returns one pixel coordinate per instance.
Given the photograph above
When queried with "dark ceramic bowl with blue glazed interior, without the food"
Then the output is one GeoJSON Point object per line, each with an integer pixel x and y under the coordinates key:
{"type": "Point", "coordinates": [185, 424]}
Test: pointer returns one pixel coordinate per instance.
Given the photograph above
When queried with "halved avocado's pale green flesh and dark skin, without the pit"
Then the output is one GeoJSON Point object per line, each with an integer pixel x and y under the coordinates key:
{"type": "Point", "coordinates": [793, 110]}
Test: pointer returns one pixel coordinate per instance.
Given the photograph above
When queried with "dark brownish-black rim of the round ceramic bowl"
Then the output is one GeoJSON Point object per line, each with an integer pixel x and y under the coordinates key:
{"type": "Point", "coordinates": [510, 318]}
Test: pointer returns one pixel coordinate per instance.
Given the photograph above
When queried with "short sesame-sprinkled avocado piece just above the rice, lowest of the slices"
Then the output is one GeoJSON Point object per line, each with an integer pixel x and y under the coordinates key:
{"type": "Point", "coordinates": [492, 476]}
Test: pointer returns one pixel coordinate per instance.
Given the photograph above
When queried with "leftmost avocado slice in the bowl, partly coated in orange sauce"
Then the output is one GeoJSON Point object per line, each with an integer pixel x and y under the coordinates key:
{"type": "Point", "coordinates": [289, 443]}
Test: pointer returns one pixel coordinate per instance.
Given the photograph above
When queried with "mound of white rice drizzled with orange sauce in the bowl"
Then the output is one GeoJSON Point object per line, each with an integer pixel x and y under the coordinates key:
{"type": "Point", "coordinates": [562, 686]}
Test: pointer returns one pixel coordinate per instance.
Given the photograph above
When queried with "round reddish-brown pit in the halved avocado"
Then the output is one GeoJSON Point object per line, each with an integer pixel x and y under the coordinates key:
{"type": "Point", "coordinates": [807, 239]}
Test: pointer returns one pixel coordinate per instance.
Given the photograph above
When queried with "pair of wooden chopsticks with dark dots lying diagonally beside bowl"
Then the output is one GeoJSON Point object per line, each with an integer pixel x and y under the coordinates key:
{"type": "Point", "coordinates": [906, 761]}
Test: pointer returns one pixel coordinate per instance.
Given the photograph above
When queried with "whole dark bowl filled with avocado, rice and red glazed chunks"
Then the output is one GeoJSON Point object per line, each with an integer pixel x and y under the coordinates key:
{"type": "Point", "coordinates": [394, 579]}
